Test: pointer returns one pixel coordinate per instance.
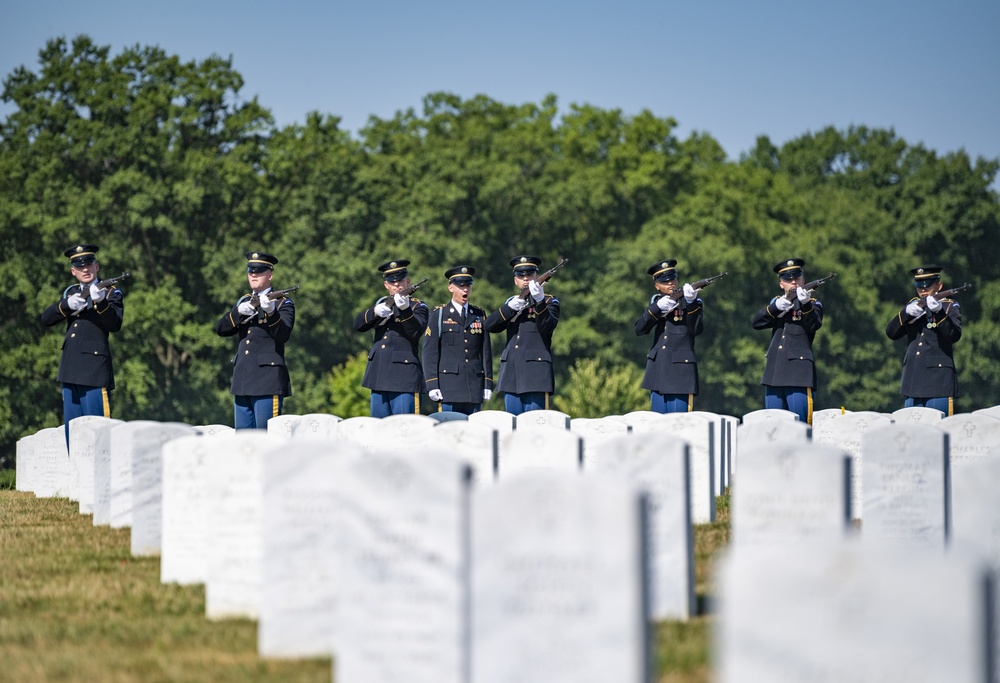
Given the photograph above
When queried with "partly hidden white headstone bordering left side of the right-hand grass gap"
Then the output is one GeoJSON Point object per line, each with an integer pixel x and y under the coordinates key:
{"type": "Point", "coordinates": [696, 430]}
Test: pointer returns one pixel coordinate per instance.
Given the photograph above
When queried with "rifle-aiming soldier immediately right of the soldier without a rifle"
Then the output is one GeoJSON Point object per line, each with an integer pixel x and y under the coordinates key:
{"type": "Point", "coordinates": [526, 376]}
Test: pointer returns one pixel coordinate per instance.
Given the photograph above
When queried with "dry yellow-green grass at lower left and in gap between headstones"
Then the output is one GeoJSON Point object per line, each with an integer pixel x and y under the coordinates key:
{"type": "Point", "coordinates": [76, 606]}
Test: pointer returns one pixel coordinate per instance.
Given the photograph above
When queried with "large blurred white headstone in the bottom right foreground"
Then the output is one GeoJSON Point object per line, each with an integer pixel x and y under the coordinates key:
{"type": "Point", "coordinates": [849, 612]}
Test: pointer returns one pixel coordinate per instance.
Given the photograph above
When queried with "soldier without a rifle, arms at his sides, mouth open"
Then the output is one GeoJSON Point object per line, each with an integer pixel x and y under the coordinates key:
{"type": "Point", "coordinates": [457, 357]}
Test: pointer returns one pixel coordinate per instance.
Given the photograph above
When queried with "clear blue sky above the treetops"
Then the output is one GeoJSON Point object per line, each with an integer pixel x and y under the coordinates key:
{"type": "Point", "coordinates": [733, 69]}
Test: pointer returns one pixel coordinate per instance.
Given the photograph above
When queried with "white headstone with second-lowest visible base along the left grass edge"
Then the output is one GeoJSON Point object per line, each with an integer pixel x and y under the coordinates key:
{"type": "Point", "coordinates": [234, 477]}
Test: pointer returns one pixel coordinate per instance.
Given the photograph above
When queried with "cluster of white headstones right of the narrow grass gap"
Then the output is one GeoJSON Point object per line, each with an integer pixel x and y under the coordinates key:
{"type": "Point", "coordinates": [913, 597]}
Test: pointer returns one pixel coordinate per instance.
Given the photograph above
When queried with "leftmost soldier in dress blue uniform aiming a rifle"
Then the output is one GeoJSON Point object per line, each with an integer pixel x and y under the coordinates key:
{"type": "Point", "coordinates": [91, 314]}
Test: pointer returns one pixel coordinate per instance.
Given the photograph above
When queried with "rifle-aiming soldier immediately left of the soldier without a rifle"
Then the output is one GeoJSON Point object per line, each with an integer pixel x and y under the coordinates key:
{"type": "Point", "coordinates": [393, 372]}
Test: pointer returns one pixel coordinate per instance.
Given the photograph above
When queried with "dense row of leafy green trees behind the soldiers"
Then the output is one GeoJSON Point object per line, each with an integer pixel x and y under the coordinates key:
{"type": "Point", "coordinates": [175, 174]}
